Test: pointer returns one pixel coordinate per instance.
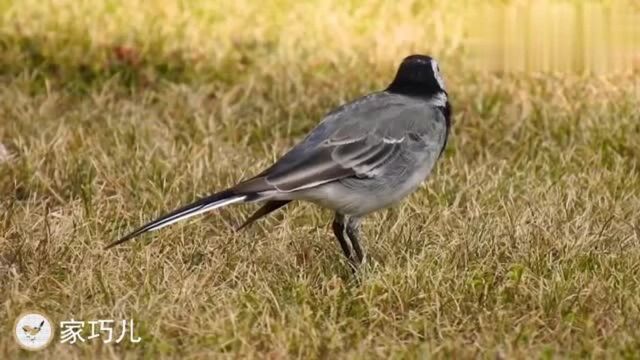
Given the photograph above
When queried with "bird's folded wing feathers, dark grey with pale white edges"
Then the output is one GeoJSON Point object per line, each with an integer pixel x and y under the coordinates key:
{"type": "Point", "coordinates": [333, 160]}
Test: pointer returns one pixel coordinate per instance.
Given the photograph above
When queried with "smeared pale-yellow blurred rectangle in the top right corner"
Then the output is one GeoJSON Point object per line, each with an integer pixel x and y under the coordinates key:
{"type": "Point", "coordinates": [597, 37]}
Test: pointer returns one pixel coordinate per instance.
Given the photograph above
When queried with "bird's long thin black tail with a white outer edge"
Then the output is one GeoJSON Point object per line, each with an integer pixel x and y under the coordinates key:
{"type": "Point", "coordinates": [203, 205]}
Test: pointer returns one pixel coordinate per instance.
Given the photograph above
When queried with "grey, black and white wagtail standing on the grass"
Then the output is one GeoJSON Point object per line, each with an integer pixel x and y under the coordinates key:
{"type": "Point", "coordinates": [363, 156]}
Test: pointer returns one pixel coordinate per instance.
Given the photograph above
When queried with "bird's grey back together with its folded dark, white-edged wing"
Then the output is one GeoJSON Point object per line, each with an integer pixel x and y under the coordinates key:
{"type": "Point", "coordinates": [352, 141]}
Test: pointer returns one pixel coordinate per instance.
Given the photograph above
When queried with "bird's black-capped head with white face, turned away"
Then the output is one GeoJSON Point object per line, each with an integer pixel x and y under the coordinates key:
{"type": "Point", "coordinates": [418, 75]}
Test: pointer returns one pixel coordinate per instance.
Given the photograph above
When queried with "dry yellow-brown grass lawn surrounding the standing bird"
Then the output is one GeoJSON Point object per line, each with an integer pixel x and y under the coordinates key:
{"type": "Point", "coordinates": [524, 243]}
